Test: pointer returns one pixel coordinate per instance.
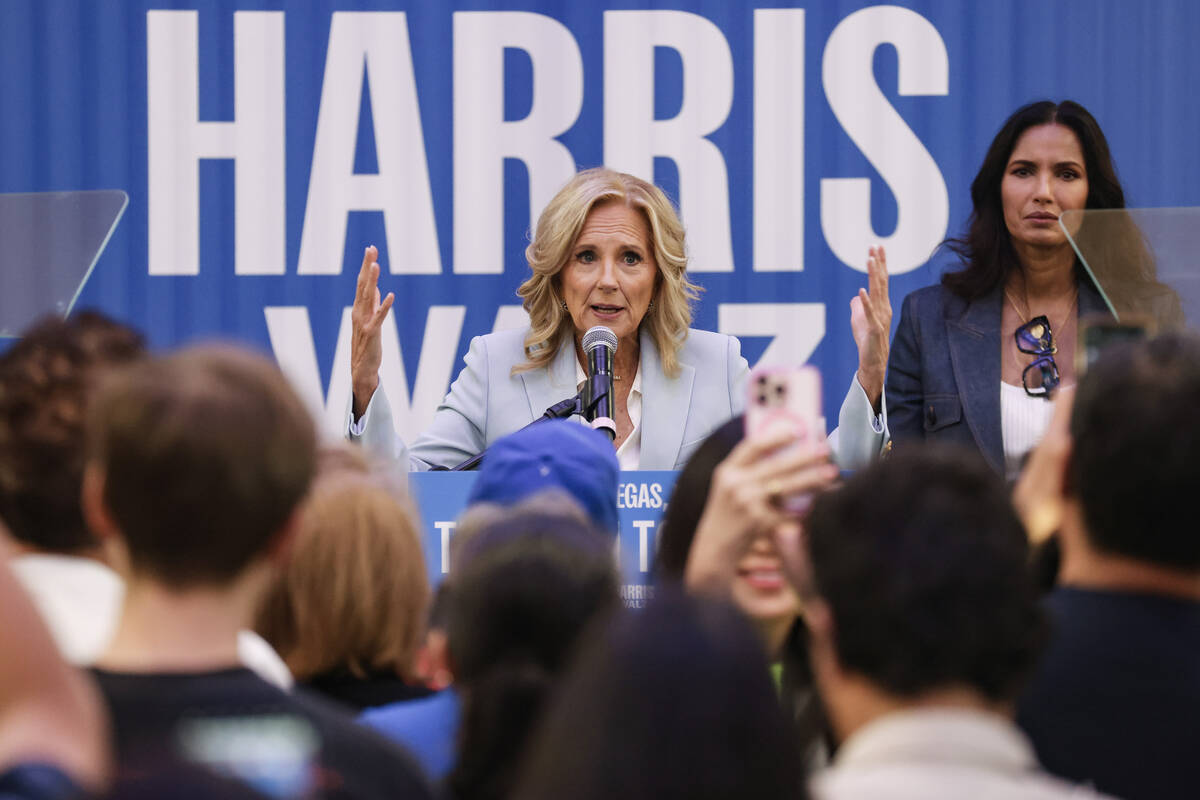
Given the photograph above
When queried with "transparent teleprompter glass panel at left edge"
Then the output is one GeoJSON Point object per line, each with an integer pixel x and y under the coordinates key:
{"type": "Point", "coordinates": [50, 243]}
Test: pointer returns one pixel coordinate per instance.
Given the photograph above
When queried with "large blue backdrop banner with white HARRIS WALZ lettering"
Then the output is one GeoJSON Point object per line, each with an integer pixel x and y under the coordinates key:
{"type": "Point", "coordinates": [265, 145]}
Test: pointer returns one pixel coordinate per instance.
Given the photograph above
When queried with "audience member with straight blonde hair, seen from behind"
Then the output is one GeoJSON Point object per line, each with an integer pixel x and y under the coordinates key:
{"type": "Point", "coordinates": [347, 611]}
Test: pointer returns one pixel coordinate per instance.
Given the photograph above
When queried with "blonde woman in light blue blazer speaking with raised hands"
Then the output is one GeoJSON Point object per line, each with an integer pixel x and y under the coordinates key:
{"type": "Point", "coordinates": [609, 250]}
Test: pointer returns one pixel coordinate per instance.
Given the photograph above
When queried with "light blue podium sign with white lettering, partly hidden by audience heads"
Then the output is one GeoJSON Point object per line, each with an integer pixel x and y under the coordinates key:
{"type": "Point", "coordinates": [641, 500]}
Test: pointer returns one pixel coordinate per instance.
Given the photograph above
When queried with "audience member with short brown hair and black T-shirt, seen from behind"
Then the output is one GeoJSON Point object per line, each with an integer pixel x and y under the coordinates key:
{"type": "Point", "coordinates": [197, 465]}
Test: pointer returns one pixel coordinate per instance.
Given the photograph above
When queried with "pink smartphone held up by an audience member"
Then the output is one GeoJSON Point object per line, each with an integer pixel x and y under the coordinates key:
{"type": "Point", "coordinates": [788, 398]}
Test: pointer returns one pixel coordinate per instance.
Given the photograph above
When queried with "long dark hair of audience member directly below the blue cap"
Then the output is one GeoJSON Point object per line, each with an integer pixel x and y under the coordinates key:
{"type": "Point", "coordinates": [526, 588]}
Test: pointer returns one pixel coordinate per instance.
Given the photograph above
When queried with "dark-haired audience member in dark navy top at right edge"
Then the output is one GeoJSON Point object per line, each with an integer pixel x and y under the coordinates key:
{"type": "Point", "coordinates": [1117, 701]}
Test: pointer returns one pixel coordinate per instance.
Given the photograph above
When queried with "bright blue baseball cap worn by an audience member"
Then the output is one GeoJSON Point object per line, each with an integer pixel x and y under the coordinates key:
{"type": "Point", "coordinates": [553, 455]}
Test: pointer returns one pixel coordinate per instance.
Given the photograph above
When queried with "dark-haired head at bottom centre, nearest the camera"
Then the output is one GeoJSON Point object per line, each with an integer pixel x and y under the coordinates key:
{"type": "Point", "coordinates": [673, 701]}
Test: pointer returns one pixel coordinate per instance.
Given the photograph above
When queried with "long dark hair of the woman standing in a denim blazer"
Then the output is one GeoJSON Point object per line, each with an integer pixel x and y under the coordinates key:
{"type": "Point", "coordinates": [987, 249]}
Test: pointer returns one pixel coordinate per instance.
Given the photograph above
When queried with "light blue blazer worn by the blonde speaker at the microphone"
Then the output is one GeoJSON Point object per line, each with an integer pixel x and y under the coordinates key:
{"type": "Point", "coordinates": [488, 402]}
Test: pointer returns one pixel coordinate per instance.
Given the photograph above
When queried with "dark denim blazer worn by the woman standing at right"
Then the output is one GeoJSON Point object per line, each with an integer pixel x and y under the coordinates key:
{"type": "Point", "coordinates": [944, 371]}
